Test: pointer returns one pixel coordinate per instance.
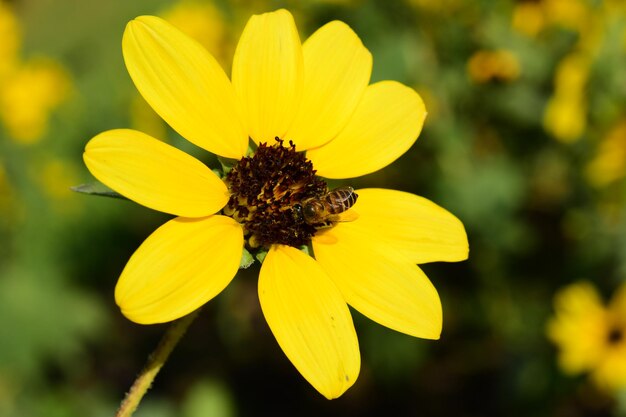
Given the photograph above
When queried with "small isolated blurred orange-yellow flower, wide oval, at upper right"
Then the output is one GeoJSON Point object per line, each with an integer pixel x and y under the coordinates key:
{"type": "Point", "coordinates": [501, 65]}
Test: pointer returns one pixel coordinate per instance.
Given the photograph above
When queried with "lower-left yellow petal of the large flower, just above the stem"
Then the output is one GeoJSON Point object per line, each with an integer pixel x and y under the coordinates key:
{"type": "Point", "coordinates": [181, 266]}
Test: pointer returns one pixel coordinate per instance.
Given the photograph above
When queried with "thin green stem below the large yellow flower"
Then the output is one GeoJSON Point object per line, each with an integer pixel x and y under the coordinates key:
{"type": "Point", "coordinates": [155, 361]}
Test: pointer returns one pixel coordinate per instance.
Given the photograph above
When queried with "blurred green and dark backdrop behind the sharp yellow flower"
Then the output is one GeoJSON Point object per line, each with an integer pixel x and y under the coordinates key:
{"type": "Point", "coordinates": [525, 142]}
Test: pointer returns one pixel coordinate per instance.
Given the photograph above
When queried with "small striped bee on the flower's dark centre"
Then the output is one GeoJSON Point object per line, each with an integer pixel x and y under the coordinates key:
{"type": "Point", "coordinates": [326, 208]}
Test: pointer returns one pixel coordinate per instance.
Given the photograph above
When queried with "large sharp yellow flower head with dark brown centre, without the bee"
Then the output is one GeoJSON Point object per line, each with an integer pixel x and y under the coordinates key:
{"type": "Point", "coordinates": [317, 95]}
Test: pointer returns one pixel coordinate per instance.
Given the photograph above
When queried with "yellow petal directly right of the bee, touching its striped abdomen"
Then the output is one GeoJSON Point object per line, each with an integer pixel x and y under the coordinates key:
{"type": "Point", "coordinates": [415, 226]}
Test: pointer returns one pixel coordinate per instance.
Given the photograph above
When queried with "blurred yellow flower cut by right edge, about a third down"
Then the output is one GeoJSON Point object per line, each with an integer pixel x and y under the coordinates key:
{"type": "Point", "coordinates": [609, 163]}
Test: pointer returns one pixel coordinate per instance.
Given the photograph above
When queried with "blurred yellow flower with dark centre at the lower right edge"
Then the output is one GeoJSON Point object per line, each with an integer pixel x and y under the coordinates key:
{"type": "Point", "coordinates": [591, 337]}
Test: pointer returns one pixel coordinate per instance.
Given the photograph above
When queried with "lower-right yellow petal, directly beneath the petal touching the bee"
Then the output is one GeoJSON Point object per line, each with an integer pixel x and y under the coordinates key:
{"type": "Point", "coordinates": [379, 283]}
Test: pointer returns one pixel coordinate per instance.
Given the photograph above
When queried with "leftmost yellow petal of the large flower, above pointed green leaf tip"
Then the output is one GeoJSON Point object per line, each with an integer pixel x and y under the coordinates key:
{"type": "Point", "coordinates": [154, 174]}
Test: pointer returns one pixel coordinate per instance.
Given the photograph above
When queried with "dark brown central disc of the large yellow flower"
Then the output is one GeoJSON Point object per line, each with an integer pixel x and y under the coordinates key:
{"type": "Point", "coordinates": [266, 189]}
